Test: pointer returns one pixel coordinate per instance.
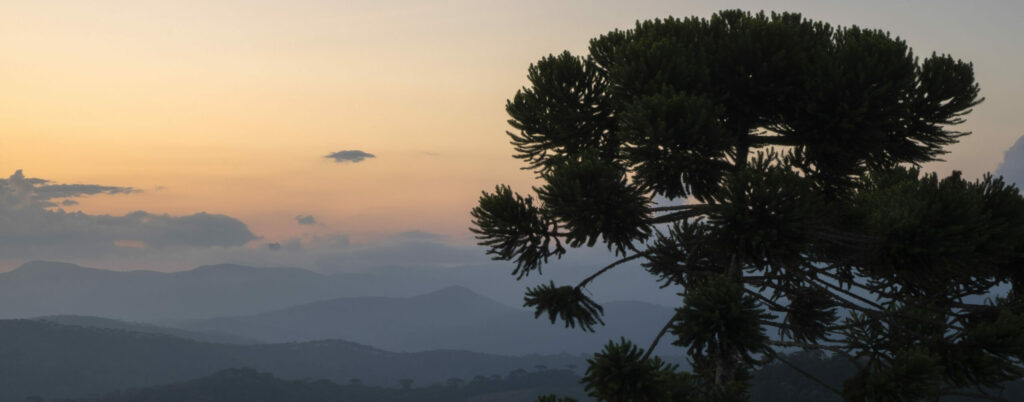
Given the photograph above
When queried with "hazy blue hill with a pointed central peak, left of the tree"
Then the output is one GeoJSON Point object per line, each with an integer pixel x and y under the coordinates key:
{"type": "Point", "coordinates": [452, 319]}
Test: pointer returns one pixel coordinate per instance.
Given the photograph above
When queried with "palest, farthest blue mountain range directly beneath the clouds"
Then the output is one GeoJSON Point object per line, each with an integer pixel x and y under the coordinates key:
{"type": "Point", "coordinates": [44, 289]}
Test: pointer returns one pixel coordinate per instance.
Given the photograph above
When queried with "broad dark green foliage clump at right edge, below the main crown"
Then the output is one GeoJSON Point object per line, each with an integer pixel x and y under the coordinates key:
{"type": "Point", "coordinates": [943, 233]}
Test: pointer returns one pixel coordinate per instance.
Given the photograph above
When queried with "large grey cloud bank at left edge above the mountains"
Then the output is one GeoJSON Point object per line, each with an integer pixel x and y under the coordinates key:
{"type": "Point", "coordinates": [31, 229]}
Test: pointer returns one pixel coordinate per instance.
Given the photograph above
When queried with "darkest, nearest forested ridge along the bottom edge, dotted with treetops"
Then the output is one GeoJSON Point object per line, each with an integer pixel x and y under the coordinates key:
{"type": "Point", "coordinates": [777, 383]}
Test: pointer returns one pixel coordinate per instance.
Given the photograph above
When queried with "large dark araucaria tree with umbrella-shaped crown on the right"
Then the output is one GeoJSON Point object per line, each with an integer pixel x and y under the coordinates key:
{"type": "Point", "coordinates": [797, 217]}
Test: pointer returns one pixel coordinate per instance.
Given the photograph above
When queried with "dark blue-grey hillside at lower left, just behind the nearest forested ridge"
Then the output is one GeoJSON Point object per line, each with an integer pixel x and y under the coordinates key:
{"type": "Point", "coordinates": [54, 361]}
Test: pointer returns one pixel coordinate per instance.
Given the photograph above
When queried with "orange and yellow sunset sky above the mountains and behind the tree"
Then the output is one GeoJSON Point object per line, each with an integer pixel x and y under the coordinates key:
{"type": "Point", "coordinates": [231, 108]}
